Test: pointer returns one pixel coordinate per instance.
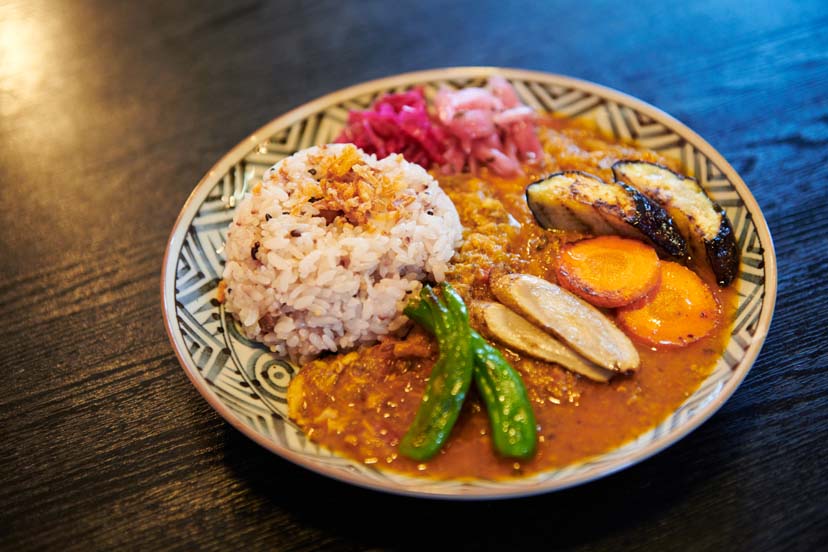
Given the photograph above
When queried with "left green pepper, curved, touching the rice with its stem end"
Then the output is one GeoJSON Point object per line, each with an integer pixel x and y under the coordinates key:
{"type": "Point", "coordinates": [449, 380]}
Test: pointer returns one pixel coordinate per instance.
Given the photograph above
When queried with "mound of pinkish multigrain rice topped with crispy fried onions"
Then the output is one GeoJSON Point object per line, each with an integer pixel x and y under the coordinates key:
{"type": "Point", "coordinates": [323, 254]}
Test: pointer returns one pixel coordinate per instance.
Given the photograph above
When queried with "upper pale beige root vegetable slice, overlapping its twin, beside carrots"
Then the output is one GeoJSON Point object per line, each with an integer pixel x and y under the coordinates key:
{"type": "Point", "coordinates": [579, 324]}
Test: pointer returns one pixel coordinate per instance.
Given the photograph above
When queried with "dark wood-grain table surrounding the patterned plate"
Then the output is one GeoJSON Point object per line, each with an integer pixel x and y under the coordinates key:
{"type": "Point", "coordinates": [110, 112]}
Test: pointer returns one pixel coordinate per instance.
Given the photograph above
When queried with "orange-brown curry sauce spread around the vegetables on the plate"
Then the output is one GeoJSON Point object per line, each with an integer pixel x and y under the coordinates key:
{"type": "Point", "coordinates": [361, 403]}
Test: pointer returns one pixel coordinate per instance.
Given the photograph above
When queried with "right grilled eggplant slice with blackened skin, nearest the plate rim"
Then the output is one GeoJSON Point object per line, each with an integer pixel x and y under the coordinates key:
{"type": "Point", "coordinates": [702, 221]}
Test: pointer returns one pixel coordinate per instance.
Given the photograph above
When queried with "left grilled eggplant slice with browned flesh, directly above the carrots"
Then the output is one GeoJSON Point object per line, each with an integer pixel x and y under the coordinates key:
{"type": "Point", "coordinates": [579, 201]}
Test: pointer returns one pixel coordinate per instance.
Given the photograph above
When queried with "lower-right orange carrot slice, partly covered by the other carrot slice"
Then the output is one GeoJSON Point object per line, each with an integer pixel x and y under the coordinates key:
{"type": "Point", "coordinates": [682, 311]}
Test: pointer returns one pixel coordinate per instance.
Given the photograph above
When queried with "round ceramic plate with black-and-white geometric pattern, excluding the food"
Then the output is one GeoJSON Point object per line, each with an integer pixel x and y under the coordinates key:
{"type": "Point", "coordinates": [247, 385]}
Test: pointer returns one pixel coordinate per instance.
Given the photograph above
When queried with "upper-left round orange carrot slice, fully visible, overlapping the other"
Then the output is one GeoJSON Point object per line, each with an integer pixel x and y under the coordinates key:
{"type": "Point", "coordinates": [609, 271]}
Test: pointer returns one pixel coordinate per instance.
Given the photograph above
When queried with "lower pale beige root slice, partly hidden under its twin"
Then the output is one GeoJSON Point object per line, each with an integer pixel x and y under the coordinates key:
{"type": "Point", "coordinates": [511, 329]}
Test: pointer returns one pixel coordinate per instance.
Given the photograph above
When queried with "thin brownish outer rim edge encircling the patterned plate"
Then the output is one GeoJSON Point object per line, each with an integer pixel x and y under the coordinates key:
{"type": "Point", "coordinates": [470, 490]}
